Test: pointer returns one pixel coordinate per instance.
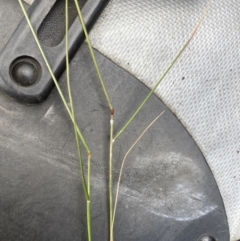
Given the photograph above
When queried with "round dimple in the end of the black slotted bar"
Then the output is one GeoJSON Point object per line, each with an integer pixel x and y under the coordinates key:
{"type": "Point", "coordinates": [25, 71]}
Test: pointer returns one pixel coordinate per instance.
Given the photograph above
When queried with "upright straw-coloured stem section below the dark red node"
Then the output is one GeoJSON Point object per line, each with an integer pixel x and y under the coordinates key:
{"type": "Point", "coordinates": [111, 176]}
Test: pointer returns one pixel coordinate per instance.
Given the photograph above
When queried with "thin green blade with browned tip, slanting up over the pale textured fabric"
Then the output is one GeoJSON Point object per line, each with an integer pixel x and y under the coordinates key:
{"type": "Point", "coordinates": [165, 73]}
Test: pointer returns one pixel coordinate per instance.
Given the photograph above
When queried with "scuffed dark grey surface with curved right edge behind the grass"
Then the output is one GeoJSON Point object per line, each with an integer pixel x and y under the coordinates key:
{"type": "Point", "coordinates": [168, 191]}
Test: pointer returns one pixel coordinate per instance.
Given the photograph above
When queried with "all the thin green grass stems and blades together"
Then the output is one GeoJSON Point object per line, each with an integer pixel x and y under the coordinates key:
{"type": "Point", "coordinates": [80, 139]}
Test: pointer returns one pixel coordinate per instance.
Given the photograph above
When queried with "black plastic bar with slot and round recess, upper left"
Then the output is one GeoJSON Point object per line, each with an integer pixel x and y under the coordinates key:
{"type": "Point", "coordinates": [23, 73]}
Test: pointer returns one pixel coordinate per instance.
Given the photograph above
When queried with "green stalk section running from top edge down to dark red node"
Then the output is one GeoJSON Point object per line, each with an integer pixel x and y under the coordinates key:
{"type": "Point", "coordinates": [93, 55]}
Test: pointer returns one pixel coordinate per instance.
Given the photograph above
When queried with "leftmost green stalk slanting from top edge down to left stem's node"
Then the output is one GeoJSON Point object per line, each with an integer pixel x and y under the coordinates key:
{"type": "Point", "coordinates": [53, 76]}
